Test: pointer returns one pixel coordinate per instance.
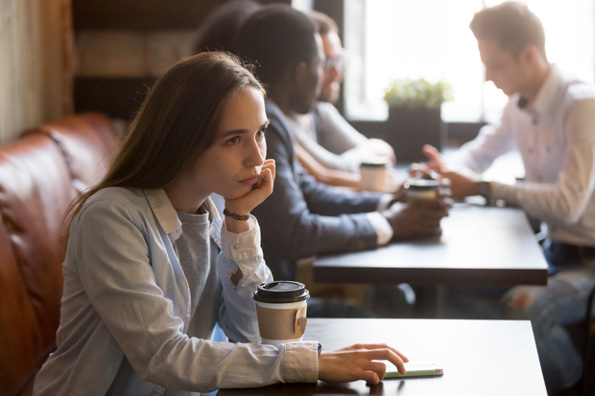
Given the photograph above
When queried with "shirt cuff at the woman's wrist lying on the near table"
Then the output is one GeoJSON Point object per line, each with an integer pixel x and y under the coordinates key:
{"type": "Point", "coordinates": [301, 361]}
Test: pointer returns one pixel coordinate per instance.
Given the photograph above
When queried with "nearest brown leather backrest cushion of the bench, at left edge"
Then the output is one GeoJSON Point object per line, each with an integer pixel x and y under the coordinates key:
{"type": "Point", "coordinates": [35, 192]}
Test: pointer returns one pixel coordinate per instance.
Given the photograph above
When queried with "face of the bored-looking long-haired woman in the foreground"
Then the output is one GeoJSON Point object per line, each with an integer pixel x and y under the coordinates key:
{"type": "Point", "coordinates": [231, 165]}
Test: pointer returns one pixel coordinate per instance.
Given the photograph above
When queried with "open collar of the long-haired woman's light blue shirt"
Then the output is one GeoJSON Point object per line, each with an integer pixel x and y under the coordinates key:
{"type": "Point", "coordinates": [166, 214]}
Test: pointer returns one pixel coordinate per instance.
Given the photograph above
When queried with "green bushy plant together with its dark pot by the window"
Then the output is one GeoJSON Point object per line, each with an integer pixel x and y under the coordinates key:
{"type": "Point", "coordinates": [415, 116]}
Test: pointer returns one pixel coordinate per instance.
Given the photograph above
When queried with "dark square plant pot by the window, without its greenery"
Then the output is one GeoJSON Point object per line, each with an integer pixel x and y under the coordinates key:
{"type": "Point", "coordinates": [409, 129]}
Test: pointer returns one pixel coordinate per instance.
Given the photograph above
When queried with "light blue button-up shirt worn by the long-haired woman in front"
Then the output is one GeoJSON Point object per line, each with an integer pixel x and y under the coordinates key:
{"type": "Point", "coordinates": [126, 303]}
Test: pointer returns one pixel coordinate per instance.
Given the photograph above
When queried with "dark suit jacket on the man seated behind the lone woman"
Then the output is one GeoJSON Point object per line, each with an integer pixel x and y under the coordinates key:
{"type": "Point", "coordinates": [288, 220]}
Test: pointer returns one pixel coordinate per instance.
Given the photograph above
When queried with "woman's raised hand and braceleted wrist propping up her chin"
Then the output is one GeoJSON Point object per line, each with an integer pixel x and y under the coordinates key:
{"type": "Point", "coordinates": [244, 204]}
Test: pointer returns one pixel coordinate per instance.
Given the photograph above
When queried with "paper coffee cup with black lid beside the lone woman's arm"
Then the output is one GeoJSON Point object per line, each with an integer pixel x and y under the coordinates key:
{"type": "Point", "coordinates": [281, 310]}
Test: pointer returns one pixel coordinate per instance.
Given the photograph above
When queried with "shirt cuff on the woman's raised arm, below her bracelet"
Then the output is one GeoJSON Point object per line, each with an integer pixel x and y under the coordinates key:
{"type": "Point", "coordinates": [243, 246]}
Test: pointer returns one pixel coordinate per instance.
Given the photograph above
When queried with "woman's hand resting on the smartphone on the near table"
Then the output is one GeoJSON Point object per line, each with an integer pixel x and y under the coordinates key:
{"type": "Point", "coordinates": [359, 362]}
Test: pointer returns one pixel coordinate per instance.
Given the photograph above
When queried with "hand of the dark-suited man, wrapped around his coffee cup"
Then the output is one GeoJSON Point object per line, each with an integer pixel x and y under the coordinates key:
{"type": "Point", "coordinates": [416, 220]}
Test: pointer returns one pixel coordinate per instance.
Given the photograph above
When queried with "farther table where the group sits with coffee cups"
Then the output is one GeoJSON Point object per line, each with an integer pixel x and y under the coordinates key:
{"type": "Point", "coordinates": [479, 246]}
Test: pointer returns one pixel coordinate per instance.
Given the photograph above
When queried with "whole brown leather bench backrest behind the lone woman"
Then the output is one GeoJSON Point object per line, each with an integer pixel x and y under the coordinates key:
{"type": "Point", "coordinates": [40, 174]}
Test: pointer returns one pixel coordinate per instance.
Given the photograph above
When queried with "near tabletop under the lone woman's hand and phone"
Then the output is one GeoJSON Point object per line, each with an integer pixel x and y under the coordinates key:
{"type": "Point", "coordinates": [479, 357]}
